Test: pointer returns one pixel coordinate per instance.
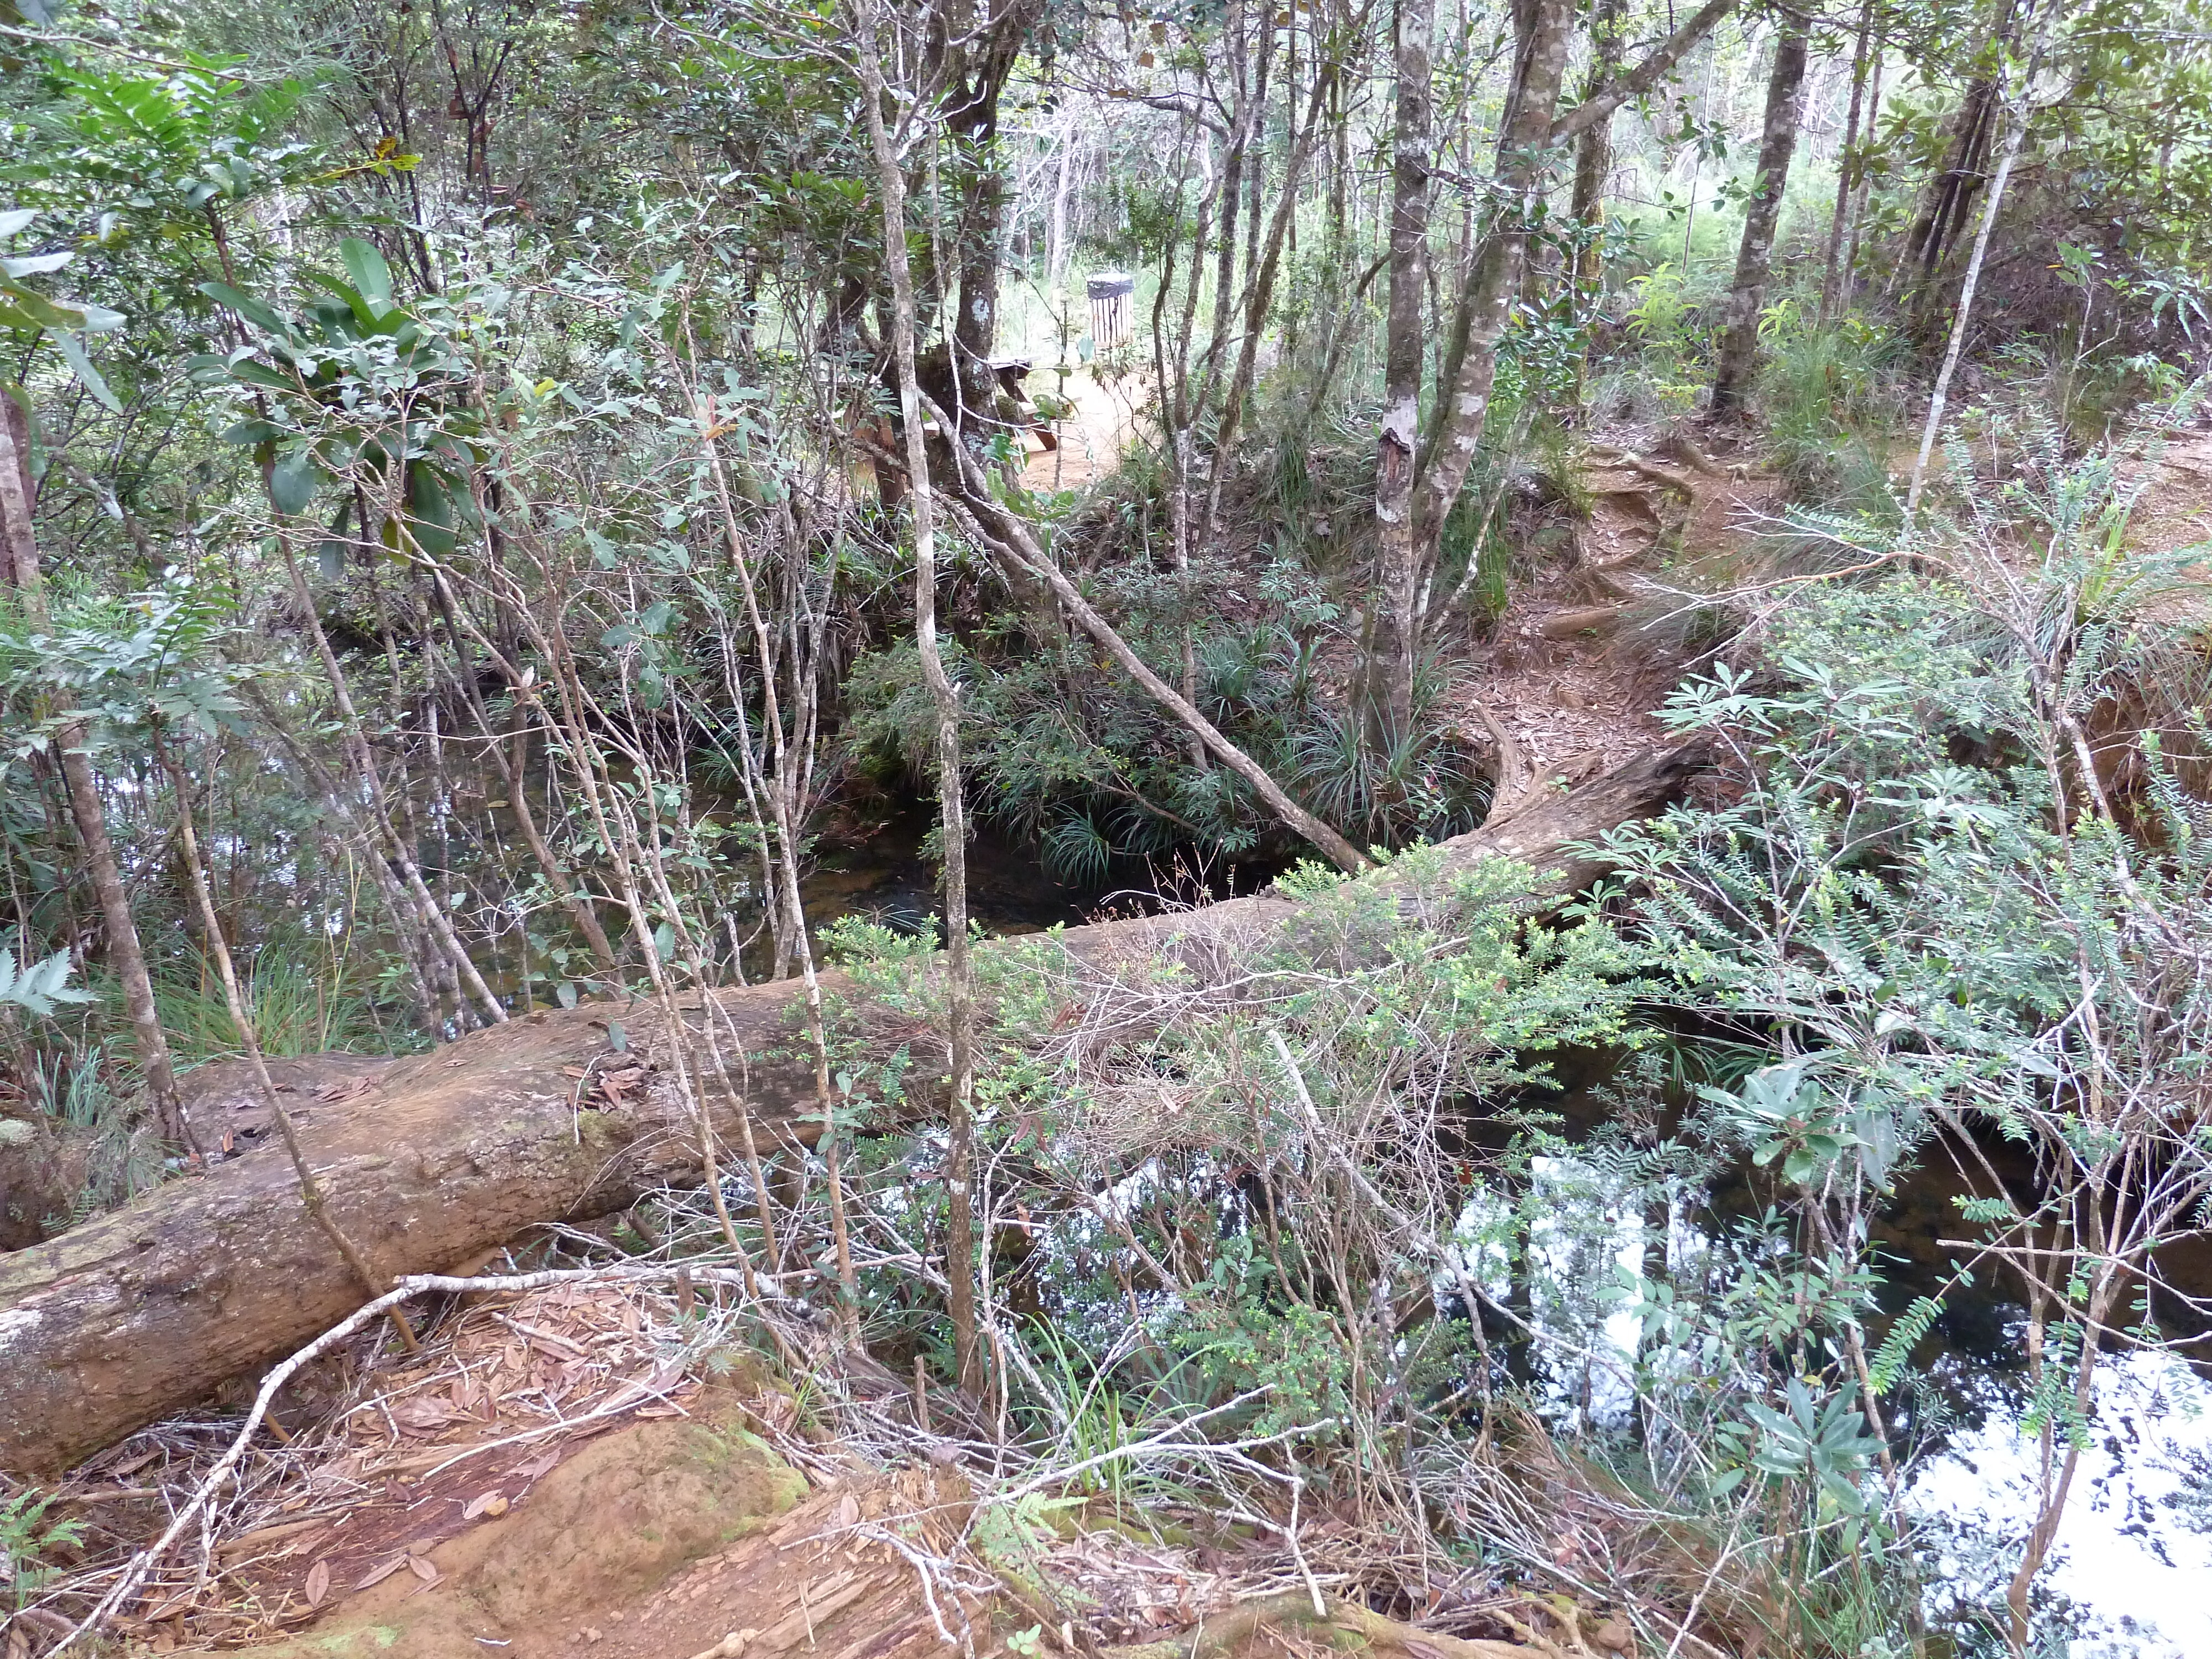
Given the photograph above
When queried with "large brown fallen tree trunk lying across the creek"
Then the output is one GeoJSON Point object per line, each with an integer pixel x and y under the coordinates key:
{"type": "Point", "coordinates": [448, 1156]}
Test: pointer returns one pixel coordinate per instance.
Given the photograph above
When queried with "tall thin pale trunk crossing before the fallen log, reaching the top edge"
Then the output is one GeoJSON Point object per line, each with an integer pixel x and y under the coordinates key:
{"type": "Point", "coordinates": [959, 972]}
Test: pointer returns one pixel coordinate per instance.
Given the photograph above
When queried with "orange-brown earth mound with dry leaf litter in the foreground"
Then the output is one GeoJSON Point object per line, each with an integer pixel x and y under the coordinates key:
{"type": "Point", "coordinates": [547, 1481]}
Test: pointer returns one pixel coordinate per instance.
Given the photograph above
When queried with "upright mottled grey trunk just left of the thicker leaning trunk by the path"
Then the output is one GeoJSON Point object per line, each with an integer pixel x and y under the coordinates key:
{"type": "Point", "coordinates": [1390, 680]}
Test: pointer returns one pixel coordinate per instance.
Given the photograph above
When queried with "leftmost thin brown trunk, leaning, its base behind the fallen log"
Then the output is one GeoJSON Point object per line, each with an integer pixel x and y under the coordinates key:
{"type": "Point", "coordinates": [87, 811]}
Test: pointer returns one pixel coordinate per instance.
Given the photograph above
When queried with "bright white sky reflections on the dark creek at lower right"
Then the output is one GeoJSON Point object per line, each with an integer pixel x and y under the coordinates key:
{"type": "Point", "coordinates": [2131, 1576]}
